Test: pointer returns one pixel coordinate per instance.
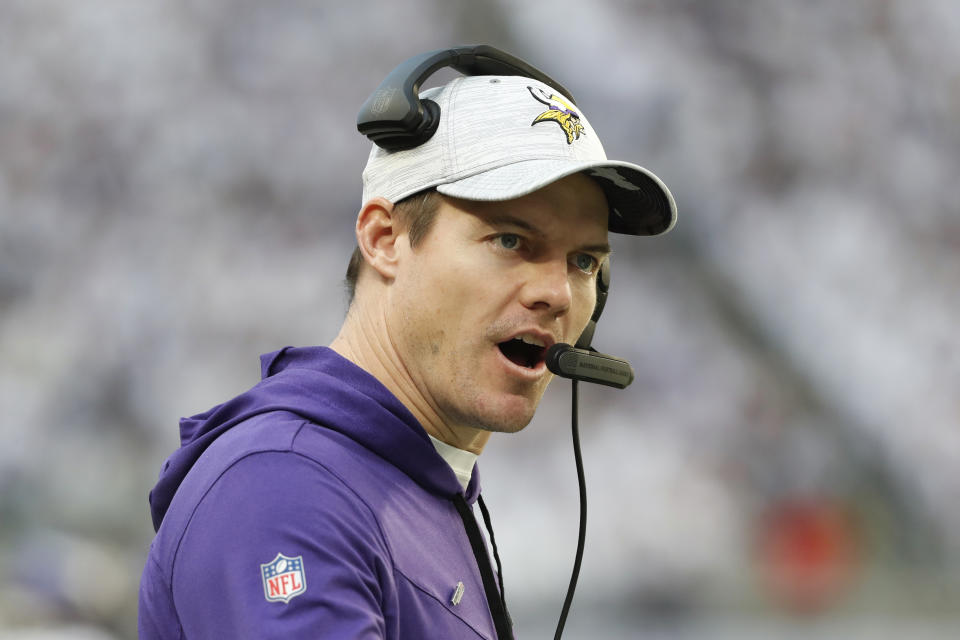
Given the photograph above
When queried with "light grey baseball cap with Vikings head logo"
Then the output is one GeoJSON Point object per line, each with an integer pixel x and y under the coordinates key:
{"type": "Point", "coordinates": [502, 137]}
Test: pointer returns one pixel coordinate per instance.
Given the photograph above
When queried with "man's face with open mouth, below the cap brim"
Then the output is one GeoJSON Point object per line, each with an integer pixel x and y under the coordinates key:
{"type": "Point", "coordinates": [475, 305]}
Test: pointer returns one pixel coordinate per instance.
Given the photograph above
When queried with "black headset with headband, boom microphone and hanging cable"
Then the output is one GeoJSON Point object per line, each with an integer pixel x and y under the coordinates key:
{"type": "Point", "coordinates": [395, 118]}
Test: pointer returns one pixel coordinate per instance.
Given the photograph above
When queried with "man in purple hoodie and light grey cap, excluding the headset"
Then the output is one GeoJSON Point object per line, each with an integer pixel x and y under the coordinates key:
{"type": "Point", "coordinates": [334, 499]}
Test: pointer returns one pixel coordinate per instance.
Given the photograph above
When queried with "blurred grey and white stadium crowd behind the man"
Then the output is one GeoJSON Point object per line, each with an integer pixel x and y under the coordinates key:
{"type": "Point", "coordinates": [178, 182]}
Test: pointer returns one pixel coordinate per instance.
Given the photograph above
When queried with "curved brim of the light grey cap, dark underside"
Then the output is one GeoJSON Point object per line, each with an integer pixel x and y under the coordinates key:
{"type": "Point", "coordinates": [640, 204]}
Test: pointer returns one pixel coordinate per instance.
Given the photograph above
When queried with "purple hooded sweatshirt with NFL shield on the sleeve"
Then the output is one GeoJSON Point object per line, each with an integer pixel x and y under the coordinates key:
{"type": "Point", "coordinates": [311, 506]}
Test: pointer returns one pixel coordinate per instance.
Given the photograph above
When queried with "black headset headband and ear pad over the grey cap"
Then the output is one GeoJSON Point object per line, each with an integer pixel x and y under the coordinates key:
{"type": "Point", "coordinates": [395, 118]}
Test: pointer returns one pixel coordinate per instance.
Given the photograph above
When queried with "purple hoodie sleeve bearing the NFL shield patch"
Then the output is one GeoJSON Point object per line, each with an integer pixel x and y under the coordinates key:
{"type": "Point", "coordinates": [279, 547]}
